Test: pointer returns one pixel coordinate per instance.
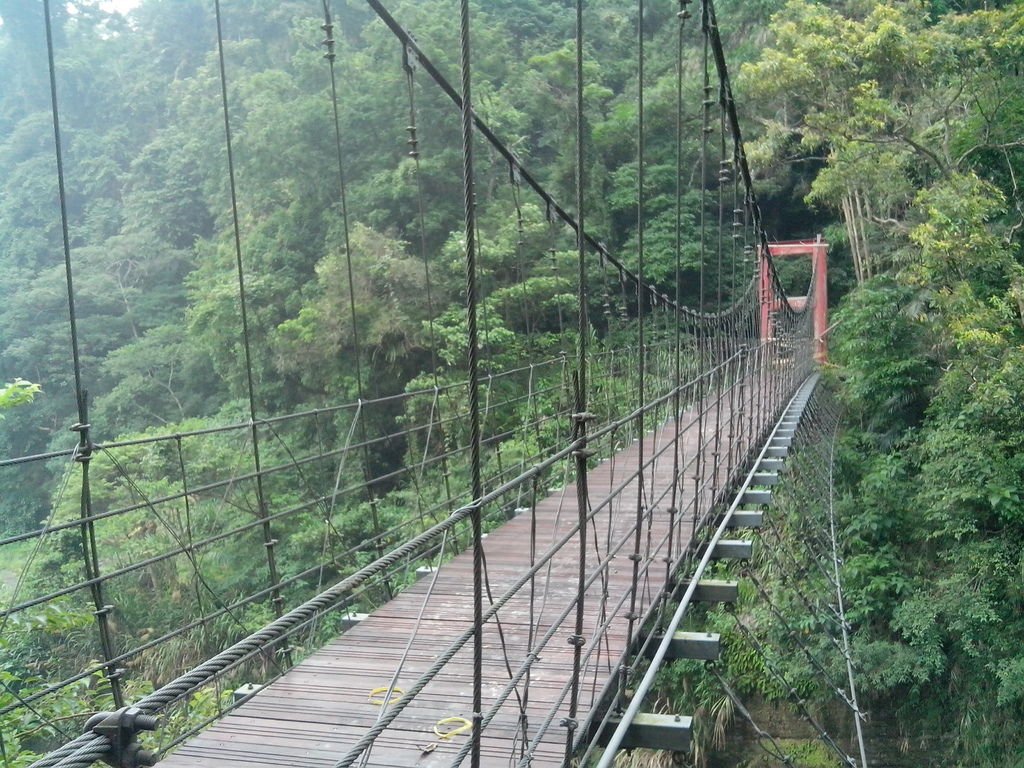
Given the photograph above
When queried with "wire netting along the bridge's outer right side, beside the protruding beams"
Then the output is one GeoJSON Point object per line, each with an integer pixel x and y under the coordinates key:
{"type": "Point", "coordinates": [791, 616]}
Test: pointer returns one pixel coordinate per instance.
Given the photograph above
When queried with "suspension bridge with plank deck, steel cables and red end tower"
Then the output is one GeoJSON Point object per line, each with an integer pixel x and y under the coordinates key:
{"type": "Point", "coordinates": [559, 521]}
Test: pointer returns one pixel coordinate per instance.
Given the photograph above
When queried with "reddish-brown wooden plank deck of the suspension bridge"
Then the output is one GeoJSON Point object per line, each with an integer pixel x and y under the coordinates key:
{"type": "Point", "coordinates": [320, 709]}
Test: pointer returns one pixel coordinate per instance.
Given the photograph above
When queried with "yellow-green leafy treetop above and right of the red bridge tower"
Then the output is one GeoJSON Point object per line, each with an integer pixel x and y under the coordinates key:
{"type": "Point", "coordinates": [893, 98]}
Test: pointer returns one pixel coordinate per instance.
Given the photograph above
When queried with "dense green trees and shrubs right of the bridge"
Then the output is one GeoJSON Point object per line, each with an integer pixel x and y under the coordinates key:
{"type": "Point", "coordinates": [914, 118]}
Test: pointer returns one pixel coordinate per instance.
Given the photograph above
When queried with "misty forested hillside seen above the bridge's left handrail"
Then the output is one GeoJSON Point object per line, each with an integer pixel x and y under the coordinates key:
{"type": "Point", "coordinates": [151, 228]}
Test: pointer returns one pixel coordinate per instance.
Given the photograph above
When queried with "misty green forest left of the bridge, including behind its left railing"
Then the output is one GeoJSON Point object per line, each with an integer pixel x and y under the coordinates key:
{"type": "Point", "coordinates": [157, 298]}
